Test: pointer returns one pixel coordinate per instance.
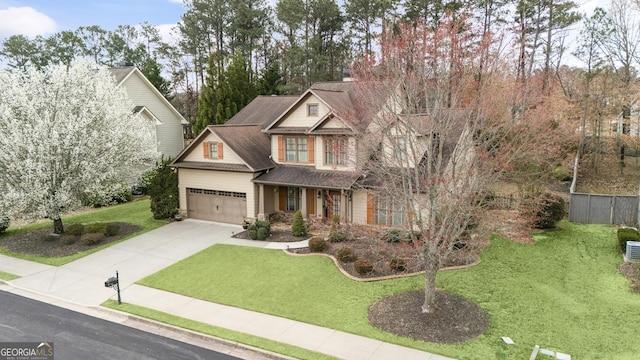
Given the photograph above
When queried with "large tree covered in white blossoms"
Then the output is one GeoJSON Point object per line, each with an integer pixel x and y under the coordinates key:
{"type": "Point", "coordinates": [66, 132]}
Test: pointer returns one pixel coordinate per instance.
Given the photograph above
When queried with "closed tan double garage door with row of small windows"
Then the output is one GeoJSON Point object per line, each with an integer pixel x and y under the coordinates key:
{"type": "Point", "coordinates": [215, 205]}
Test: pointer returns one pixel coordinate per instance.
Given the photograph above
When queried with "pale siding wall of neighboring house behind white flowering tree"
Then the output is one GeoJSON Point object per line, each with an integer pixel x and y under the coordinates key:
{"type": "Point", "coordinates": [169, 133]}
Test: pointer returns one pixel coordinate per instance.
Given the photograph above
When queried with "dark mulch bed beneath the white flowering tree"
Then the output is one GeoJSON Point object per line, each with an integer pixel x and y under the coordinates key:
{"type": "Point", "coordinates": [35, 242]}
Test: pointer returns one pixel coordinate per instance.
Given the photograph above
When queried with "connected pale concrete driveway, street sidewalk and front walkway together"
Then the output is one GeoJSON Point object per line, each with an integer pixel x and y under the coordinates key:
{"type": "Point", "coordinates": [82, 283]}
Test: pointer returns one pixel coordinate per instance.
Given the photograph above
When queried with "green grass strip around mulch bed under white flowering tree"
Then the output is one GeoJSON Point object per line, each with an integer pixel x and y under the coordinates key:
{"type": "Point", "coordinates": [134, 212]}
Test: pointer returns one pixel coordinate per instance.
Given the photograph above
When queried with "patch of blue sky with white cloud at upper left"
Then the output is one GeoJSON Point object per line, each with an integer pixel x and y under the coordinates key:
{"type": "Point", "coordinates": [45, 17]}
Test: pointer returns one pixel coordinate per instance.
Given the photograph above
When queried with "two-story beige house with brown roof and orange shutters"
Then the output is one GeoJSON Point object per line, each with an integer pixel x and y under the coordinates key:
{"type": "Point", "coordinates": [283, 154]}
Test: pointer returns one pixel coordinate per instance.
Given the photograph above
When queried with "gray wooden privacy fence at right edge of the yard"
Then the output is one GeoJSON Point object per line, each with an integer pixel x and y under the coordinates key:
{"type": "Point", "coordinates": [603, 209]}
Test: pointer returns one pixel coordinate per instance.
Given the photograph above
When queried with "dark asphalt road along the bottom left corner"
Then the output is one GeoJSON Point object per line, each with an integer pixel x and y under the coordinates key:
{"type": "Point", "coordinates": [79, 336]}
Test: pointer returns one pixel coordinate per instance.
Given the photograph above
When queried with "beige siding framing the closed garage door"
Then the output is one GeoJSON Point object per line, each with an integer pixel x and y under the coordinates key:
{"type": "Point", "coordinates": [218, 180]}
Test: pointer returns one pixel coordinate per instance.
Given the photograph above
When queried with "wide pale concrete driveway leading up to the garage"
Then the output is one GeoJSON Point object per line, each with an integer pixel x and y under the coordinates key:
{"type": "Point", "coordinates": [82, 281]}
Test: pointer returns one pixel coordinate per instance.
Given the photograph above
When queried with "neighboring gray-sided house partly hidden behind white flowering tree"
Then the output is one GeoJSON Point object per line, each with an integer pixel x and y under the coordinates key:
{"type": "Point", "coordinates": [149, 102]}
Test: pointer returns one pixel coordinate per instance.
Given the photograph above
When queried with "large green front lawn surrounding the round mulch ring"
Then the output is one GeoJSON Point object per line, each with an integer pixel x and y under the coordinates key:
{"type": "Point", "coordinates": [563, 293]}
